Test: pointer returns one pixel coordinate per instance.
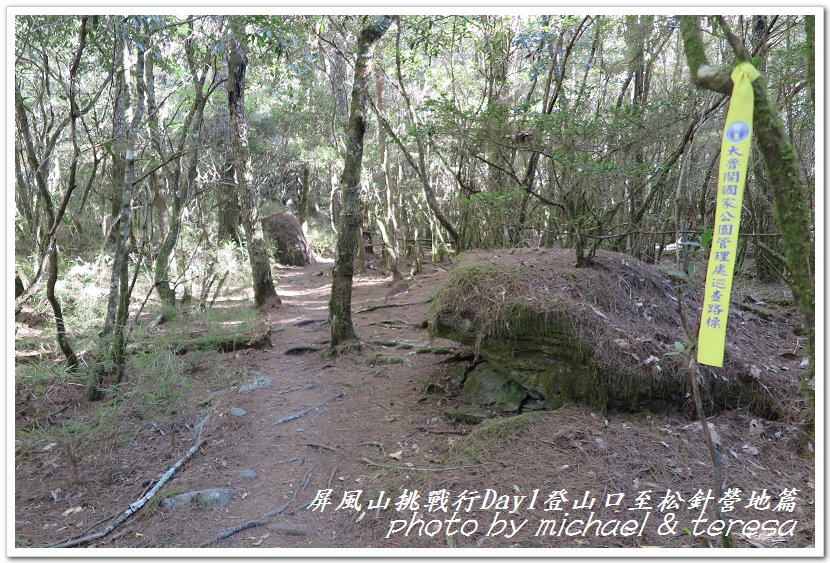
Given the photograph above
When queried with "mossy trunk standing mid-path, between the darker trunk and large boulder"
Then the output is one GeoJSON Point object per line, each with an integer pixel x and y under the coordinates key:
{"type": "Point", "coordinates": [340, 304]}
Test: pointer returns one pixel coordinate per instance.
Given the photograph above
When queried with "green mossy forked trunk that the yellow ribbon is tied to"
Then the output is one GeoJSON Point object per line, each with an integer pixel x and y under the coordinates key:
{"type": "Point", "coordinates": [790, 205]}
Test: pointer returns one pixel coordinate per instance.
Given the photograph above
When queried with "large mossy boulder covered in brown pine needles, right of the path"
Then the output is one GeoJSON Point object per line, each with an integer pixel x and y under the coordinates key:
{"type": "Point", "coordinates": [601, 336]}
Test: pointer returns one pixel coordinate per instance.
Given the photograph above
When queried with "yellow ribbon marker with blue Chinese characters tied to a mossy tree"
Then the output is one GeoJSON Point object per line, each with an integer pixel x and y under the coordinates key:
{"type": "Point", "coordinates": [734, 156]}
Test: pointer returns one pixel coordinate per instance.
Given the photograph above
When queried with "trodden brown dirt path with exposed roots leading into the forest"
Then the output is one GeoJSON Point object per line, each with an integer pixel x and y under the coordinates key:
{"type": "Point", "coordinates": [377, 413]}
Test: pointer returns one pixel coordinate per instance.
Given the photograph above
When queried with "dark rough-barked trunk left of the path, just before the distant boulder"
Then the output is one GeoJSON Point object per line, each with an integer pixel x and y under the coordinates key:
{"type": "Point", "coordinates": [263, 284]}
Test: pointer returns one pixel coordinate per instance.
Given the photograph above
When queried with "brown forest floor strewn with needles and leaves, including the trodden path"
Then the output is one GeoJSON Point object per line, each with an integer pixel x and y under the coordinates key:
{"type": "Point", "coordinates": [388, 431]}
